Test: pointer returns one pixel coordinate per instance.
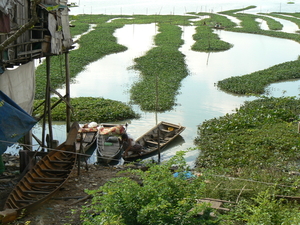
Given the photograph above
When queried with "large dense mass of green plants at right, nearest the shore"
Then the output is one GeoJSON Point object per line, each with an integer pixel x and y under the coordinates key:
{"type": "Point", "coordinates": [261, 134]}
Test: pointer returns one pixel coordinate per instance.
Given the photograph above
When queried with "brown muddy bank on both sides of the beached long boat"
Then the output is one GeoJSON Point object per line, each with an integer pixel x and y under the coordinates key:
{"type": "Point", "coordinates": [64, 207]}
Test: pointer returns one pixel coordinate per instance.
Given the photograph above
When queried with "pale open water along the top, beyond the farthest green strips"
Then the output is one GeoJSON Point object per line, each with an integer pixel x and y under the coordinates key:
{"type": "Point", "coordinates": [178, 7]}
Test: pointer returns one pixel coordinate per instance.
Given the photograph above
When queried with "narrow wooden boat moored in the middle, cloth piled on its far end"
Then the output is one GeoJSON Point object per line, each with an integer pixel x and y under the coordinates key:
{"type": "Point", "coordinates": [109, 148]}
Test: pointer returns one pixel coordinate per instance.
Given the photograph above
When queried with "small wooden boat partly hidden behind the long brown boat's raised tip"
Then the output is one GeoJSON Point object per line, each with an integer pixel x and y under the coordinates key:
{"type": "Point", "coordinates": [86, 138]}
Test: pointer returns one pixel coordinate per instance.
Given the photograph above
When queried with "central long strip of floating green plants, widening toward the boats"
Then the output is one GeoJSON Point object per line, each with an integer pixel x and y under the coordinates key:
{"type": "Point", "coordinates": [162, 69]}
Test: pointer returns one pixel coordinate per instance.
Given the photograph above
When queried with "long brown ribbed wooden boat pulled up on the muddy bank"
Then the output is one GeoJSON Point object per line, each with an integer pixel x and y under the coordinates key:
{"type": "Point", "coordinates": [42, 181]}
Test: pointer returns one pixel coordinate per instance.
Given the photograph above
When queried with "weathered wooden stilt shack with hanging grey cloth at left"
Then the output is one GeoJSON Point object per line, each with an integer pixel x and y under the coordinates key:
{"type": "Point", "coordinates": [31, 30]}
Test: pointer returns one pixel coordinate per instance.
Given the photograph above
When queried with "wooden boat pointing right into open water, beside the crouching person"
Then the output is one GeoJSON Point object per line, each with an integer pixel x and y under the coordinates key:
{"type": "Point", "coordinates": [157, 137]}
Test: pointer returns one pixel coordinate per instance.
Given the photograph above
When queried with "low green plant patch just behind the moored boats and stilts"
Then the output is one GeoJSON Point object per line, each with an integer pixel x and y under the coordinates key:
{"type": "Point", "coordinates": [87, 109]}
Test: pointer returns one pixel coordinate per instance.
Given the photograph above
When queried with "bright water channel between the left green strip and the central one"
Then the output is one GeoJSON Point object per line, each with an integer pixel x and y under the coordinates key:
{"type": "Point", "coordinates": [110, 76]}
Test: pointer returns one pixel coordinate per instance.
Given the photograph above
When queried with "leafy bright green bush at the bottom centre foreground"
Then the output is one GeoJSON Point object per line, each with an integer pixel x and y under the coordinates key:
{"type": "Point", "coordinates": [161, 199]}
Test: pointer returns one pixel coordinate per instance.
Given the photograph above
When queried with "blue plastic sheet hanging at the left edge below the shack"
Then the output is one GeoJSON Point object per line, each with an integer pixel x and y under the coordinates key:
{"type": "Point", "coordinates": [14, 122]}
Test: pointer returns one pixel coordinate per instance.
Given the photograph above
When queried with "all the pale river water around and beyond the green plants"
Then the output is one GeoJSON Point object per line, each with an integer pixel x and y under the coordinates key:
{"type": "Point", "coordinates": [199, 98]}
